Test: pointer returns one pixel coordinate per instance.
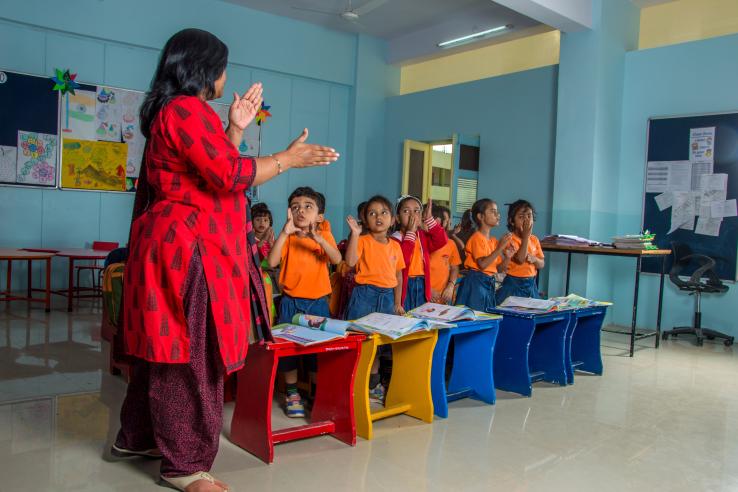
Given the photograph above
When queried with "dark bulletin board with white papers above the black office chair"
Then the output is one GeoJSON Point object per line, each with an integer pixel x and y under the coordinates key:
{"type": "Point", "coordinates": [692, 186]}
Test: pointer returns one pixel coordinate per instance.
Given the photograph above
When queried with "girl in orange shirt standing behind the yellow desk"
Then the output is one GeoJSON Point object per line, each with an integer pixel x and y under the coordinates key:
{"type": "Point", "coordinates": [379, 266]}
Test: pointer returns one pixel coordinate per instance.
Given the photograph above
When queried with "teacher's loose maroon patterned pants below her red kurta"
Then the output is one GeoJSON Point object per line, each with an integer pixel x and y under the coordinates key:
{"type": "Point", "coordinates": [178, 408]}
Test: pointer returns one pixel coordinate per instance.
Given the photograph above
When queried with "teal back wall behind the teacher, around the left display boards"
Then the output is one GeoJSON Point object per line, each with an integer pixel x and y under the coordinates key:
{"type": "Point", "coordinates": [309, 74]}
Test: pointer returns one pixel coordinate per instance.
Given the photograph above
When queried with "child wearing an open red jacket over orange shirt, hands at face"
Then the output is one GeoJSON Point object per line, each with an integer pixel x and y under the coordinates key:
{"type": "Point", "coordinates": [418, 237]}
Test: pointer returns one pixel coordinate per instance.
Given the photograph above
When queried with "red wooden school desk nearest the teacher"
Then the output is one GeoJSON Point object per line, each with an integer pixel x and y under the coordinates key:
{"type": "Point", "coordinates": [333, 409]}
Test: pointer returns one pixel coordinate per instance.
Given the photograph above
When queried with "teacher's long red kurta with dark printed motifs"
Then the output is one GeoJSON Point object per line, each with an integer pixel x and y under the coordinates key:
{"type": "Point", "coordinates": [198, 181]}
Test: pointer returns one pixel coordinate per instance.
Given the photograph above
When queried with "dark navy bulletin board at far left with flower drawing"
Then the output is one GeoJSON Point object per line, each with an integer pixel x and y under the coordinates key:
{"type": "Point", "coordinates": [29, 130]}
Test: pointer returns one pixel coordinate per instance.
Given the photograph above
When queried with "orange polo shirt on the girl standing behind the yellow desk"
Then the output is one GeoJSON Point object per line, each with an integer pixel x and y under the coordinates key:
{"type": "Point", "coordinates": [378, 263]}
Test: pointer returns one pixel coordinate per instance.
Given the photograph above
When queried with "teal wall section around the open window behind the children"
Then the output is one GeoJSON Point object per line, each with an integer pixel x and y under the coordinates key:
{"type": "Point", "coordinates": [515, 118]}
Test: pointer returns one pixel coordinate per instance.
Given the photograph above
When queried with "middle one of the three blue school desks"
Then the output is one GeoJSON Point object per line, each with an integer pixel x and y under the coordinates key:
{"type": "Point", "coordinates": [530, 347]}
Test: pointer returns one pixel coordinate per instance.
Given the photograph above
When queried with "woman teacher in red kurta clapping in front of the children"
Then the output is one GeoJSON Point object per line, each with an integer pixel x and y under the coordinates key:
{"type": "Point", "coordinates": [193, 298]}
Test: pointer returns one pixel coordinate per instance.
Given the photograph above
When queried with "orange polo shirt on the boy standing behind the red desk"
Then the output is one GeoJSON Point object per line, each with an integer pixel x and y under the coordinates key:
{"type": "Point", "coordinates": [304, 269]}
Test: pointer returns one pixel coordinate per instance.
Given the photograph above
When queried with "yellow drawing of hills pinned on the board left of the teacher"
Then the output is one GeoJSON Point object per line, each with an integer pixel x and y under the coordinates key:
{"type": "Point", "coordinates": [91, 165]}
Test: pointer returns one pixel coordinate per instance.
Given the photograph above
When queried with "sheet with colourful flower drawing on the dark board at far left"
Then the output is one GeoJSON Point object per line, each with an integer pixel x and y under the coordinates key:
{"type": "Point", "coordinates": [36, 158]}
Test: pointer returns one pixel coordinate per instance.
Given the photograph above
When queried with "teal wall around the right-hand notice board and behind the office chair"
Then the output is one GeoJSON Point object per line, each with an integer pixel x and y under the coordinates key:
{"type": "Point", "coordinates": [663, 82]}
